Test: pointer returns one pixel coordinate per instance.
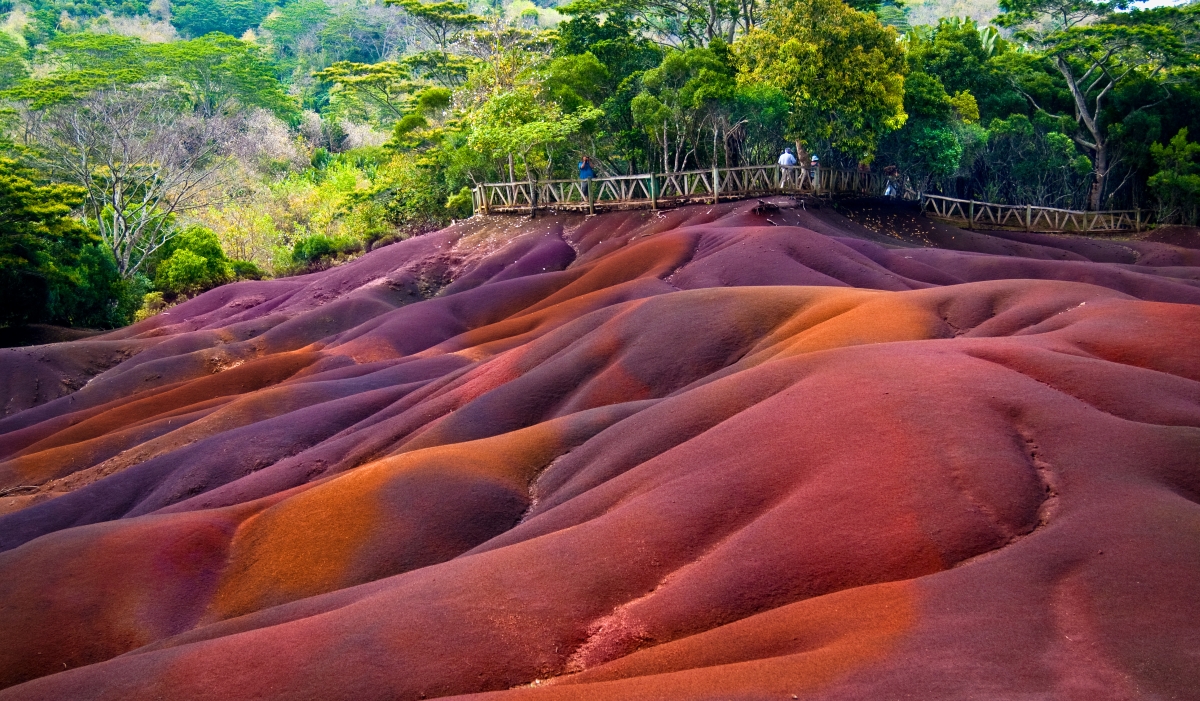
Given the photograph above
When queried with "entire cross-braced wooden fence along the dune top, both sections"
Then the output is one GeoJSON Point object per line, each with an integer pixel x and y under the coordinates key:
{"type": "Point", "coordinates": [655, 191]}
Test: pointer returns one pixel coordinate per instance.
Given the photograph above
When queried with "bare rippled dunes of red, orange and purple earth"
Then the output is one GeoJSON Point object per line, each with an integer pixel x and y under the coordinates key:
{"type": "Point", "coordinates": [737, 452]}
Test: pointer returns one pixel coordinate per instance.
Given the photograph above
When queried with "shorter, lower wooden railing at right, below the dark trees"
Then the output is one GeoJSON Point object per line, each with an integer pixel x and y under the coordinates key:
{"type": "Point", "coordinates": [985, 215]}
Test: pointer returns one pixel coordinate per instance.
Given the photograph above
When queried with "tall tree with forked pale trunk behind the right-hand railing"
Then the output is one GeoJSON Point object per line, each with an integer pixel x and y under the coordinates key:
{"type": "Point", "coordinates": [1096, 50]}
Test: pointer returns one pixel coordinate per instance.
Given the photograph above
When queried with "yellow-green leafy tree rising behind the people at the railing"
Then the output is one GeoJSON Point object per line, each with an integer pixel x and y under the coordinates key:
{"type": "Point", "coordinates": [842, 70]}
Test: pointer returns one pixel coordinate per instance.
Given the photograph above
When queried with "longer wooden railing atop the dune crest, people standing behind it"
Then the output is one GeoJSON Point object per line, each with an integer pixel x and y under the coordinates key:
{"type": "Point", "coordinates": [652, 191]}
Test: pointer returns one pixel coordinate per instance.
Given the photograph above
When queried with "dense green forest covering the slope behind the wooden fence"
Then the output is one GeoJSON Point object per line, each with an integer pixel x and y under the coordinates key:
{"type": "Point", "coordinates": [157, 149]}
